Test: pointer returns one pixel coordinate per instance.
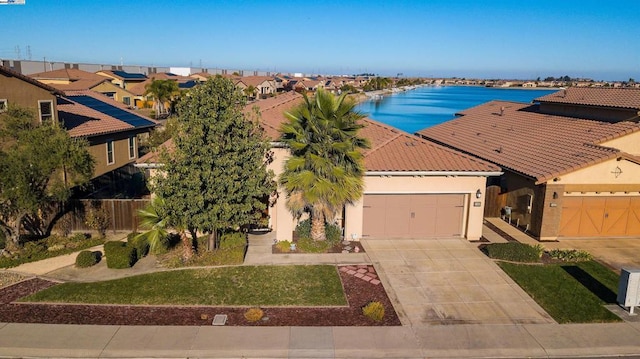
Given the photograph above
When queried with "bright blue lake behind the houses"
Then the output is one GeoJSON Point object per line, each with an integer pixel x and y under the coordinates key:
{"type": "Point", "coordinates": [428, 106]}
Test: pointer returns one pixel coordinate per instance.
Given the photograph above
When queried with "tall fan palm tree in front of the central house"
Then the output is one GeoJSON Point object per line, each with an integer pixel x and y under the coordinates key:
{"type": "Point", "coordinates": [326, 166]}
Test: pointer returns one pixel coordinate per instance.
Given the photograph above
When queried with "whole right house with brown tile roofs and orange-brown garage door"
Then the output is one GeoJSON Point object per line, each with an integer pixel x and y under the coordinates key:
{"type": "Point", "coordinates": [571, 161]}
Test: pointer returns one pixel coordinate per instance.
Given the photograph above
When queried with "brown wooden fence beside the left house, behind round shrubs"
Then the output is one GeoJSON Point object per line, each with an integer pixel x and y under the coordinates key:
{"type": "Point", "coordinates": [122, 213]}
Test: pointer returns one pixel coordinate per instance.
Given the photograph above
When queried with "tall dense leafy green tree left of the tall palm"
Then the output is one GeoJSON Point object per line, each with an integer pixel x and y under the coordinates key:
{"type": "Point", "coordinates": [217, 176]}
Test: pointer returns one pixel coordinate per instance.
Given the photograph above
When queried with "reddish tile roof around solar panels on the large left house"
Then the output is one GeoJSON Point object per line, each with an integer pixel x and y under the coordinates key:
{"type": "Point", "coordinates": [83, 121]}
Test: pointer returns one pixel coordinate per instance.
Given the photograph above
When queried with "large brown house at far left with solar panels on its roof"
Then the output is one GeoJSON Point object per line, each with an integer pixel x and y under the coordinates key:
{"type": "Point", "coordinates": [110, 128]}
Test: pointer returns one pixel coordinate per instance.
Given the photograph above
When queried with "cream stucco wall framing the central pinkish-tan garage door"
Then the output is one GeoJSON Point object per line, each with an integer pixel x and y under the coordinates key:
{"type": "Point", "coordinates": [472, 226]}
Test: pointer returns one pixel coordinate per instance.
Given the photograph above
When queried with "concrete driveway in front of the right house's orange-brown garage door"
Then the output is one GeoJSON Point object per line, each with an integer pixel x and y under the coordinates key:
{"type": "Point", "coordinates": [616, 253]}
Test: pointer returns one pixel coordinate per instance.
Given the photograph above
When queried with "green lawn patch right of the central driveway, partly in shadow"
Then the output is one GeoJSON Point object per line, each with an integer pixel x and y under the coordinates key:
{"type": "Point", "coordinates": [570, 293]}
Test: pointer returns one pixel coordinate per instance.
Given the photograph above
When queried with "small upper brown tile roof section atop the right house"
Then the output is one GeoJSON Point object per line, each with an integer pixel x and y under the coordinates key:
{"type": "Point", "coordinates": [601, 97]}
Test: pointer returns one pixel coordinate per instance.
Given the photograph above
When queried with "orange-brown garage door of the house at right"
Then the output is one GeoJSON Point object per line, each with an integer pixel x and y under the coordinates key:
{"type": "Point", "coordinates": [600, 217]}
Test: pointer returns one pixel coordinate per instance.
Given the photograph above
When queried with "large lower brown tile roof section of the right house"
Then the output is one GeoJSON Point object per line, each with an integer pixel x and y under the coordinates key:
{"type": "Point", "coordinates": [537, 145]}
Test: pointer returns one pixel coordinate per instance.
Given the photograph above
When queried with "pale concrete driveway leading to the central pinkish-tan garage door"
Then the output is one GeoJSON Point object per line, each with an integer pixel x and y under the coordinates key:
{"type": "Point", "coordinates": [449, 281]}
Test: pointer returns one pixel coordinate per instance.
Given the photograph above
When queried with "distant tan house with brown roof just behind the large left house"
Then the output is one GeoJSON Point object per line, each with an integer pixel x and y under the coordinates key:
{"type": "Point", "coordinates": [78, 80]}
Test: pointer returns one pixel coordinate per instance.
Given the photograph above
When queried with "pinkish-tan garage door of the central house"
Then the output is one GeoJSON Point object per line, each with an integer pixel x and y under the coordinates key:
{"type": "Point", "coordinates": [413, 215]}
